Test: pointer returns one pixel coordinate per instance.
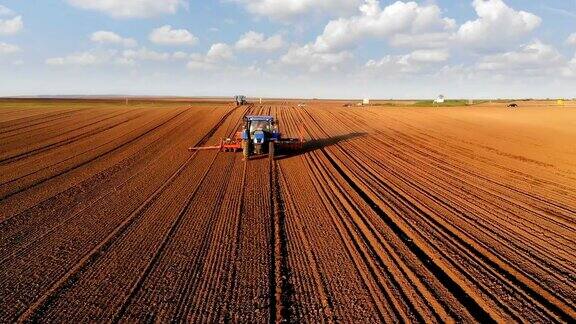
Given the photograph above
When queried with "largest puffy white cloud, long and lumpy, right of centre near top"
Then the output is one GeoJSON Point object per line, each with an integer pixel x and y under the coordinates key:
{"type": "Point", "coordinates": [400, 22]}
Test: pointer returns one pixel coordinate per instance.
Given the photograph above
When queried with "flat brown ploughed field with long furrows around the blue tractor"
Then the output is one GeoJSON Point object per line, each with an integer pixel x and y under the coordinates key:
{"type": "Point", "coordinates": [388, 214]}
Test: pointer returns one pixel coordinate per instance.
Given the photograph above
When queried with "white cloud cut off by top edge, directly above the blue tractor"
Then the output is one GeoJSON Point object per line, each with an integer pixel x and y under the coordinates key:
{"type": "Point", "coordinates": [287, 9]}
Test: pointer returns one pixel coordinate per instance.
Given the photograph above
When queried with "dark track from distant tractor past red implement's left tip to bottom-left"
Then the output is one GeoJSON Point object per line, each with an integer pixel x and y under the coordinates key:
{"type": "Point", "coordinates": [72, 274]}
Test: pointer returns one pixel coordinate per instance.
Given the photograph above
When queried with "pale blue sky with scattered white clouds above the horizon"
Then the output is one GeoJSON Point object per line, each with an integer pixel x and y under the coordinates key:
{"type": "Point", "coordinates": [289, 48]}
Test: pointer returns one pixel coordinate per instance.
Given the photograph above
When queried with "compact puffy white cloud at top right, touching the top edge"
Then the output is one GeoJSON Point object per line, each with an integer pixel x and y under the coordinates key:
{"type": "Point", "coordinates": [496, 24]}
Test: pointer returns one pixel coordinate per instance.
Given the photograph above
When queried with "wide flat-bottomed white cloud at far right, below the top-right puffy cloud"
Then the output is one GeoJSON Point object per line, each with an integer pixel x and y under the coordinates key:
{"type": "Point", "coordinates": [533, 57]}
